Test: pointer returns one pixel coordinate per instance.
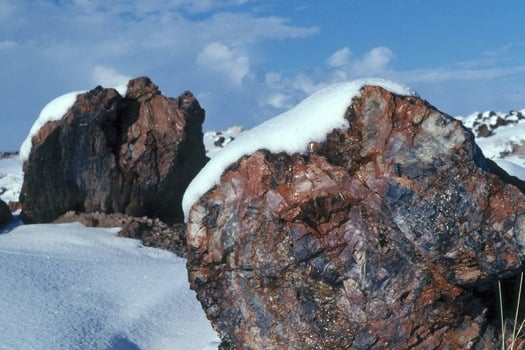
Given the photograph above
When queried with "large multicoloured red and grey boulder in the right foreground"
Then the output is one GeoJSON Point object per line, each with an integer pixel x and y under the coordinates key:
{"type": "Point", "coordinates": [388, 235]}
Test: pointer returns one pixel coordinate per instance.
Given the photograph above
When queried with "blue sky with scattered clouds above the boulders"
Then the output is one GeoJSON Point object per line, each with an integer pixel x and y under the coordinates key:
{"type": "Point", "coordinates": [248, 60]}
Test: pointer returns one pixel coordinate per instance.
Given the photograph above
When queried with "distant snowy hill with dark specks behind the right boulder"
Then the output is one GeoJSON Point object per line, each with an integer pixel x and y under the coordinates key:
{"type": "Point", "coordinates": [501, 137]}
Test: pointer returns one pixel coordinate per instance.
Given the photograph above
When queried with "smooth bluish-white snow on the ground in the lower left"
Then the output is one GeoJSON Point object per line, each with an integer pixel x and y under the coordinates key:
{"type": "Point", "coordinates": [71, 287]}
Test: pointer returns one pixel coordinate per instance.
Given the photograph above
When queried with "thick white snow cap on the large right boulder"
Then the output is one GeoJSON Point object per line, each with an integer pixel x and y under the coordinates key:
{"type": "Point", "coordinates": [310, 120]}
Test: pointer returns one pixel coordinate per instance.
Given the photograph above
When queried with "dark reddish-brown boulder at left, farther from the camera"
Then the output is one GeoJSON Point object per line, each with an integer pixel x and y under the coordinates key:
{"type": "Point", "coordinates": [133, 155]}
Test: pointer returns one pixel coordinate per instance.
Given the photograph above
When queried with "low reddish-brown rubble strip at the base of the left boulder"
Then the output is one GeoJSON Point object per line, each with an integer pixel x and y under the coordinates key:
{"type": "Point", "coordinates": [152, 232]}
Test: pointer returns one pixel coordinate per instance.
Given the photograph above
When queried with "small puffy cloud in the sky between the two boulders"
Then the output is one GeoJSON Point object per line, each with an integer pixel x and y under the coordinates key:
{"type": "Point", "coordinates": [222, 59]}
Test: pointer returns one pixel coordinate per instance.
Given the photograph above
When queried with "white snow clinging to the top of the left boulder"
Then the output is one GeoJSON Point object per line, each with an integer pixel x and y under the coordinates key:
{"type": "Point", "coordinates": [55, 110]}
